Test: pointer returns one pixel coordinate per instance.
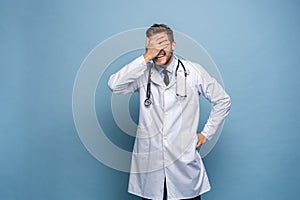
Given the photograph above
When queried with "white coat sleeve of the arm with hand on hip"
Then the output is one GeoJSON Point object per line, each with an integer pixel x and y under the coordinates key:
{"type": "Point", "coordinates": [220, 100]}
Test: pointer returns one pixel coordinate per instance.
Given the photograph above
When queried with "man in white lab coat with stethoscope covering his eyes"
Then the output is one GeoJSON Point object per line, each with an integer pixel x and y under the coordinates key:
{"type": "Point", "coordinates": [165, 162]}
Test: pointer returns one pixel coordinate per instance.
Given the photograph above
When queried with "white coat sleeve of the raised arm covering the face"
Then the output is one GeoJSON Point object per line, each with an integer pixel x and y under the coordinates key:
{"type": "Point", "coordinates": [125, 80]}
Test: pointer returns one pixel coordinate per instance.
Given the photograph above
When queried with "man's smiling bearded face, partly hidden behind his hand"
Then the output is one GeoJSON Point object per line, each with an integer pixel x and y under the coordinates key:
{"type": "Point", "coordinates": [165, 56]}
